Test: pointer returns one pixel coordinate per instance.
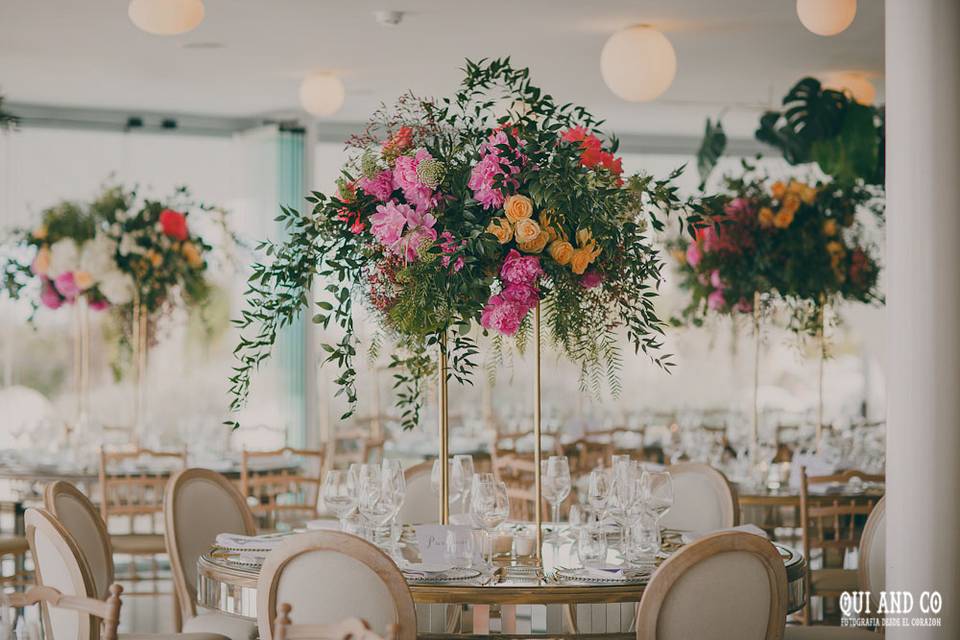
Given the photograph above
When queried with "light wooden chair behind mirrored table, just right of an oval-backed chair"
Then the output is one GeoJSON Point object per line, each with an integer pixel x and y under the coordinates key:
{"type": "Point", "coordinates": [287, 494]}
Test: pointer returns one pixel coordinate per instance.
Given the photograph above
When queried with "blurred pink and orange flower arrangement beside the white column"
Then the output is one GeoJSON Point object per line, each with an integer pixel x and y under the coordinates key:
{"type": "Point", "coordinates": [798, 241]}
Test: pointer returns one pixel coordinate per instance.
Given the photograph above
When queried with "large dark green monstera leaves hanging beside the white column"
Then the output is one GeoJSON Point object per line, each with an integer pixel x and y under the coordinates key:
{"type": "Point", "coordinates": [827, 127]}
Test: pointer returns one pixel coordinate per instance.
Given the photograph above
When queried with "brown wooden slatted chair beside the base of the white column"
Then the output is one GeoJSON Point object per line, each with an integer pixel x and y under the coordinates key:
{"type": "Point", "coordinates": [832, 527]}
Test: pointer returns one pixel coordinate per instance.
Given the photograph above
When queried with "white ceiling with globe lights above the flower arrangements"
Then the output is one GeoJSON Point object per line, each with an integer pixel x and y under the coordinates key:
{"type": "Point", "coordinates": [733, 55]}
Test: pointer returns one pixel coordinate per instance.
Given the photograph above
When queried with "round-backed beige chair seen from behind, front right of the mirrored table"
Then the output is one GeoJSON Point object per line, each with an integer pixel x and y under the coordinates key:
{"type": "Point", "coordinates": [689, 596]}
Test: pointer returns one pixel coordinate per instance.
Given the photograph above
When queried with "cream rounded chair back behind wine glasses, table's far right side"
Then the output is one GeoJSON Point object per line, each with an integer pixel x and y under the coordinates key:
{"type": "Point", "coordinates": [703, 499]}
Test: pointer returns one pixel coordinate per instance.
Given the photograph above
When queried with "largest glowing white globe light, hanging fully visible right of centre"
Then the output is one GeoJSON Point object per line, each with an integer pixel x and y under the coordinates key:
{"type": "Point", "coordinates": [638, 63]}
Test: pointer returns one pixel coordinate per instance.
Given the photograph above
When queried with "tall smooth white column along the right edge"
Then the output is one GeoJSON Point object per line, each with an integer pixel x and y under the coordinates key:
{"type": "Point", "coordinates": [923, 305]}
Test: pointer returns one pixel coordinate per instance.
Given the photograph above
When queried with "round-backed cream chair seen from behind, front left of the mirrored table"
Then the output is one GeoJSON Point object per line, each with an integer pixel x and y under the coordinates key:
{"type": "Point", "coordinates": [330, 575]}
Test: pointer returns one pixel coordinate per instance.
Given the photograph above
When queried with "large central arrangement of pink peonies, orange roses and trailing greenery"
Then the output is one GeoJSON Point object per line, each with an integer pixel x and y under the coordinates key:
{"type": "Point", "coordinates": [448, 217]}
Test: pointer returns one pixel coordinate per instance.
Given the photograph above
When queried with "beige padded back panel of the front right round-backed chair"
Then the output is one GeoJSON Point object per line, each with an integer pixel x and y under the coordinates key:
{"type": "Point", "coordinates": [694, 607]}
